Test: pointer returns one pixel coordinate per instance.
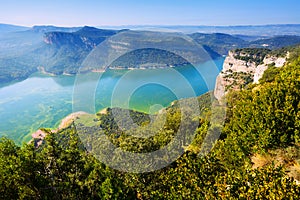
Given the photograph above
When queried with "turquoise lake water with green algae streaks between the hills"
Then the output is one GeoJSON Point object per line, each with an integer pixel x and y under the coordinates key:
{"type": "Point", "coordinates": [43, 101]}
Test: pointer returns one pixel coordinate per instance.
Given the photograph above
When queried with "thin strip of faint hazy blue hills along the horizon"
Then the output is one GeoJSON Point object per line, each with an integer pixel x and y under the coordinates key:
{"type": "Point", "coordinates": [249, 30]}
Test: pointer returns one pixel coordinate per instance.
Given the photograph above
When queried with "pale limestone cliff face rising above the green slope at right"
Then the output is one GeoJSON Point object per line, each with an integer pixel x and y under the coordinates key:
{"type": "Point", "coordinates": [243, 67]}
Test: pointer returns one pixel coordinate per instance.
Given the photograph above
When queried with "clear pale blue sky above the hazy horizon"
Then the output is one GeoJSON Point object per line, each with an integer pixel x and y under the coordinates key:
{"type": "Point", "coordinates": [149, 12]}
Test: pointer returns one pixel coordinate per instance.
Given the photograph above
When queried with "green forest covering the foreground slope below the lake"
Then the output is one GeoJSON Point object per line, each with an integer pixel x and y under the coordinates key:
{"type": "Point", "coordinates": [256, 157]}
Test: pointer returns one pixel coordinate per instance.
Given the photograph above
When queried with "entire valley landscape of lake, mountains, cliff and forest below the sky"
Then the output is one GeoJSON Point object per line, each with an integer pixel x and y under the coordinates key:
{"type": "Point", "coordinates": [90, 113]}
